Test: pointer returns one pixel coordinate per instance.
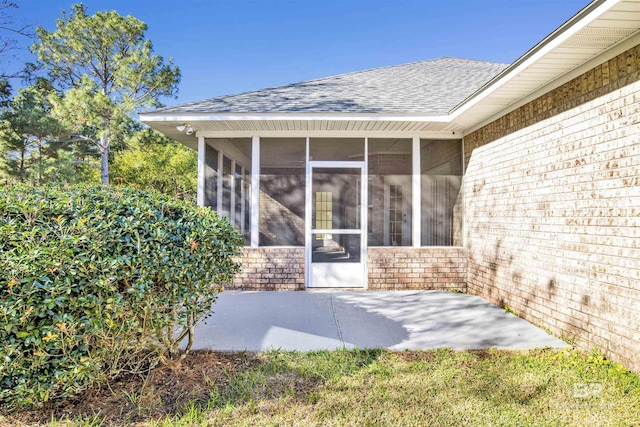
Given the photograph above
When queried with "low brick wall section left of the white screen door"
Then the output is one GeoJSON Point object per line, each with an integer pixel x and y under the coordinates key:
{"type": "Point", "coordinates": [269, 269]}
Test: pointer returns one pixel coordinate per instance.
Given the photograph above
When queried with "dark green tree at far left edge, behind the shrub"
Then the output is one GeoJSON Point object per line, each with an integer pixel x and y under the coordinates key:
{"type": "Point", "coordinates": [27, 133]}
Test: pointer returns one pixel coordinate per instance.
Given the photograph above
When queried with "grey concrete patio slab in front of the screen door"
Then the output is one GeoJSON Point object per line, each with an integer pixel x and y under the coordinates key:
{"type": "Point", "coordinates": [316, 320]}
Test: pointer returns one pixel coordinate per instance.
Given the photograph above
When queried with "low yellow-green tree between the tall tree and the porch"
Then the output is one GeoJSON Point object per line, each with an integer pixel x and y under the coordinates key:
{"type": "Point", "coordinates": [153, 161]}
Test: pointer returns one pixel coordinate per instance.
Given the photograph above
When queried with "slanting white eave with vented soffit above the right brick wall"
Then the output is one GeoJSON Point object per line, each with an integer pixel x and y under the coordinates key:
{"type": "Point", "coordinates": [597, 28]}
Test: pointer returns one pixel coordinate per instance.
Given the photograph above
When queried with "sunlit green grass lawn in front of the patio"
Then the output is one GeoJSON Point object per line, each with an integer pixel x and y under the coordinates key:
{"type": "Point", "coordinates": [439, 388]}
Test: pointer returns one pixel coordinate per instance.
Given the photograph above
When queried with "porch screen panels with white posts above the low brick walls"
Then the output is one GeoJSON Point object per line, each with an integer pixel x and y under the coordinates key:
{"type": "Point", "coordinates": [408, 194]}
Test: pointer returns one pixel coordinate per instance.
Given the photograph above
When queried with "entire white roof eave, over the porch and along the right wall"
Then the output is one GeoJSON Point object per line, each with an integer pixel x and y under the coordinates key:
{"type": "Point", "coordinates": [497, 97]}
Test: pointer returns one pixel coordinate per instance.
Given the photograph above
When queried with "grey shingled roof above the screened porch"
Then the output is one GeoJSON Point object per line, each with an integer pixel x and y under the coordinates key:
{"type": "Point", "coordinates": [426, 87]}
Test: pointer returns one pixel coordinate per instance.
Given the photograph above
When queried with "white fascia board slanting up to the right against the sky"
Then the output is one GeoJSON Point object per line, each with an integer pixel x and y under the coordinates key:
{"type": "Point", "coordinates": [562, 34]}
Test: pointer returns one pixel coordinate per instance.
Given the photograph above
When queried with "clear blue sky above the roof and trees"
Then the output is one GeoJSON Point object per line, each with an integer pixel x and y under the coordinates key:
{"type": "Point", "coordinates": [226, 46]}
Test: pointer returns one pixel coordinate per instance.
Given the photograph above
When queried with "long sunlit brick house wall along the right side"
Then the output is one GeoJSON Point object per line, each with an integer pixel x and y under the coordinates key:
{"type": "Point", "coordinates": [552, 210]}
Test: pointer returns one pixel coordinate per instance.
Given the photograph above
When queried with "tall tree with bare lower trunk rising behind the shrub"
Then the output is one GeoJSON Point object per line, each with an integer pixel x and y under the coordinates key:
{"type": "Point", "coordinates": [107, 71]}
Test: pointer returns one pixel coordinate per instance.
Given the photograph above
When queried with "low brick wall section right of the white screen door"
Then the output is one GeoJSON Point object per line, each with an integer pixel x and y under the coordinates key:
{"type": "Point", "coordinates": [417, 268]}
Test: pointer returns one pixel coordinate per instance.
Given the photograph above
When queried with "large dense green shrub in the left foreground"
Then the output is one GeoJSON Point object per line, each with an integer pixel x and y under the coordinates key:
{"type": "Point", "coordinates": [92, 278]}
